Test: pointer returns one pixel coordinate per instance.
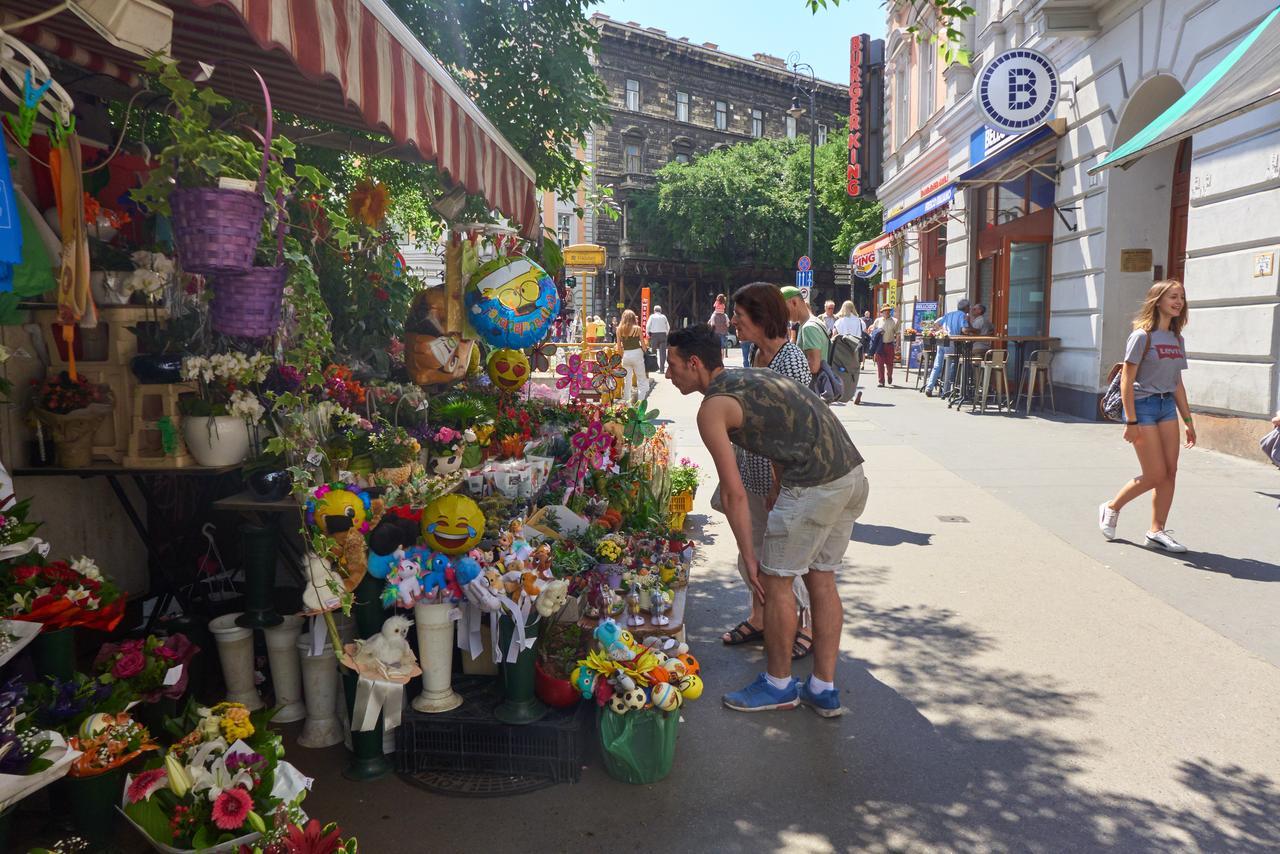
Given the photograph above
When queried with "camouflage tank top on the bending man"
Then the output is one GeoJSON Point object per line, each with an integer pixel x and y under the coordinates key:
{"type": "Point", "coordinates": [787, 423]}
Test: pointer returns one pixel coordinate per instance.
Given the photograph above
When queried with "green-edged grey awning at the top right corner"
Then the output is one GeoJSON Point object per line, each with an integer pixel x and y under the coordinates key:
{"type": "Point", "coordinates": [1249, 77]}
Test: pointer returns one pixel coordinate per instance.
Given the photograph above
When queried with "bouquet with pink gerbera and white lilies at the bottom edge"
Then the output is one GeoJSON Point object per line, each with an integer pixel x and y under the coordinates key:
{"type": "Point", "coordinates": [216, 784]}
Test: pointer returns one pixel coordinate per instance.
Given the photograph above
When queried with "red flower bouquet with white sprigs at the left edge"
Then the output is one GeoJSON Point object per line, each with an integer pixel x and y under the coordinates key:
{"type": "Point", "coordinates": [62, 595]}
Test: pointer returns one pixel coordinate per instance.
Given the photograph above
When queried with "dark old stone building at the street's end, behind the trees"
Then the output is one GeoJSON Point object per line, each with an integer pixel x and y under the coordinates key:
{"type": "Point", "coordinates": [671, 101]}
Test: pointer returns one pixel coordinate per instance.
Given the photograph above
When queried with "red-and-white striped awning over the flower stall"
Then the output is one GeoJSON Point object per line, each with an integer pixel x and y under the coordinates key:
{"type": "Point", "coordinates": [349, 62]}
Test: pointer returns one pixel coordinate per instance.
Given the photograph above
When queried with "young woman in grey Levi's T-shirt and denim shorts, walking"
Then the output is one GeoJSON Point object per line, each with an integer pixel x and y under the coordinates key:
{"type": "Point", "coordinates": [1151, 387]}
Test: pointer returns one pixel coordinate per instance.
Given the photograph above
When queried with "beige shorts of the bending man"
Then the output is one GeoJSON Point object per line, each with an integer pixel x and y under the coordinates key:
{"type": "Point", "coordinates": [810, 528]}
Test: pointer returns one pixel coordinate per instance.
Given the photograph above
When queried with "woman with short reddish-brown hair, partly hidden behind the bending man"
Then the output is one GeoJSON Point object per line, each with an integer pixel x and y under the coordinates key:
{"type": "Point", "coordinates": [761, 316]}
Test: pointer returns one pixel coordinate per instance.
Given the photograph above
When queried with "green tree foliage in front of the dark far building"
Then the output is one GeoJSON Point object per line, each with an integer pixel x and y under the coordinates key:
{"type": "Point", "coordinates": [748, 207]}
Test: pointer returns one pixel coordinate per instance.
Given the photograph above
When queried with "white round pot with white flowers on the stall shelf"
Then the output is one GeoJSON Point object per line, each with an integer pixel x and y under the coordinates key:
{"type": "Point", "coordinates": [217, 422]}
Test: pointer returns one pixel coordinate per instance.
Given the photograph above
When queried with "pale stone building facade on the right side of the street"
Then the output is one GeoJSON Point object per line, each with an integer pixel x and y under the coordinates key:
{"type": "Point", "coordinates": [1055, 248]}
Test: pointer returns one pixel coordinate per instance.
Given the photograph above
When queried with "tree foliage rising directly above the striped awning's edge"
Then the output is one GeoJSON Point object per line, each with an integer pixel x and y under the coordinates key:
{"type": "Point", "coordinates": [528, 67]}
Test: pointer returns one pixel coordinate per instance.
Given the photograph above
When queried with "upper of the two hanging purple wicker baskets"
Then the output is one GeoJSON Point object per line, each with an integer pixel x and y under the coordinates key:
{"type": "Point", "coordinates": [217, 231]}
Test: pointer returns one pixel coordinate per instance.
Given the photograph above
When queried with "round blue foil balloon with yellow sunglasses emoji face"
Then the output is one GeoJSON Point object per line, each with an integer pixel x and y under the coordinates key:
{"type": "Point", "coordinates": [511, 303]}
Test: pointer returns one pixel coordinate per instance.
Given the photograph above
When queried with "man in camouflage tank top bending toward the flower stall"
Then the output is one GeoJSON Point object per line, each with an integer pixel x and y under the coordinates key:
{"type": "Point", "coordinates": [821, 491]}
